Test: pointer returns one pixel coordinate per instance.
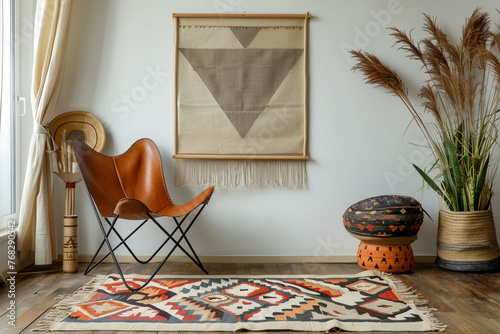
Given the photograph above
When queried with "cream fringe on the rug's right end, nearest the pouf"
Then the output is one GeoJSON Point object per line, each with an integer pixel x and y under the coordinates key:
{"type": "Point", "coordinates": [410, 296]}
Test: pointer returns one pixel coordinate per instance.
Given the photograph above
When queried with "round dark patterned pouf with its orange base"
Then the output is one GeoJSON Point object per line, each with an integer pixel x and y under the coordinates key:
{"type": "Point", "coordinates": [386, 226]}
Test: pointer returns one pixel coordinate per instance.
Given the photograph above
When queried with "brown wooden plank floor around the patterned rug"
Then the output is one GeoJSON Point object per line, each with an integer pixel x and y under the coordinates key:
{"type": "Point", "coordinates": [466, 303]}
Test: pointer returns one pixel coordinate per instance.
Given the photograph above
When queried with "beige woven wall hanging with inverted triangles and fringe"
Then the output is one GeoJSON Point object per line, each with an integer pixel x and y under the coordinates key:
{"type": "Point", "coordinates": [240, 117]}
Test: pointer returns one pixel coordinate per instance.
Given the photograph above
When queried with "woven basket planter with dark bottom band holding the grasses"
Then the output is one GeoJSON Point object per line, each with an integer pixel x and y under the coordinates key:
{"type": "Point", "coordinates": [467, 241]}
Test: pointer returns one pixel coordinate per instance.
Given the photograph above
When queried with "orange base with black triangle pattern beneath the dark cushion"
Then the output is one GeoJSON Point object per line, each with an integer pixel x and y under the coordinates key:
{"type": "Point", "coordinates": [387, 258]}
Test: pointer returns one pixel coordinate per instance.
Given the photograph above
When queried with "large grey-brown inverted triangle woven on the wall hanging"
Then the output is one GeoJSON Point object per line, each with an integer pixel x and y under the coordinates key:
{"type": "Point", "coordinates": [242, 81]}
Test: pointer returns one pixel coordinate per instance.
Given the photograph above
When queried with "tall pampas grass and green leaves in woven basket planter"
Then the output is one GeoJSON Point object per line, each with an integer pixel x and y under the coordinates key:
{"type": "Point", "coordinates": [462, 95]}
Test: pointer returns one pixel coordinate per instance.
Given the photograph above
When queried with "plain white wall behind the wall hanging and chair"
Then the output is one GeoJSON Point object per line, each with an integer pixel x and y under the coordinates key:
{"type": "Point", "coordinates": [357, 142]}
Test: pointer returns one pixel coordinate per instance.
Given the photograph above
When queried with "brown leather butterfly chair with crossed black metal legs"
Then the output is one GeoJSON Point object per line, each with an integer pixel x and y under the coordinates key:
{"type": "Point", "coordinates": [131, 186]}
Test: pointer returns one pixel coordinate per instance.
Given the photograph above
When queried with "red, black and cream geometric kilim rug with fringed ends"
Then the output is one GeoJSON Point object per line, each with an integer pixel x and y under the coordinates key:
{"type": "Point", "coordinates": [369, 301]}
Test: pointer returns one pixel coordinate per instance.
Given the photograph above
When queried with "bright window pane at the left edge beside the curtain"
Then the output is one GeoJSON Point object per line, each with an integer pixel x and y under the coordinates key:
{"type": "Point", "coordinates": [7, 113]}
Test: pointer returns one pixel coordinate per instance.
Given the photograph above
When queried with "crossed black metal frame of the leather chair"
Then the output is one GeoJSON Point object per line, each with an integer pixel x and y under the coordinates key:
{"type": "Point", "coordinates": [170, 236]}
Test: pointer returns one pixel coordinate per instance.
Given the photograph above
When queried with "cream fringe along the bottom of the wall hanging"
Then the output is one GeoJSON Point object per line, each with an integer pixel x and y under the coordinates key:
{"type": "Point", "coordinates": [240, 173]}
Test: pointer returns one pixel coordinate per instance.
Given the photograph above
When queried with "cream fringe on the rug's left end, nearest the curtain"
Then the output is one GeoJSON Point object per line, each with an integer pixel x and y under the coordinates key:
{"type": "Point", "coordinates": [63, 308]}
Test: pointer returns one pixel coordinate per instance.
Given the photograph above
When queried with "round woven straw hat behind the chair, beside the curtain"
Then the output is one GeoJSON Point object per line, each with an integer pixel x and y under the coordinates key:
{"type": "Point", "coordinates": [79, 125]}
